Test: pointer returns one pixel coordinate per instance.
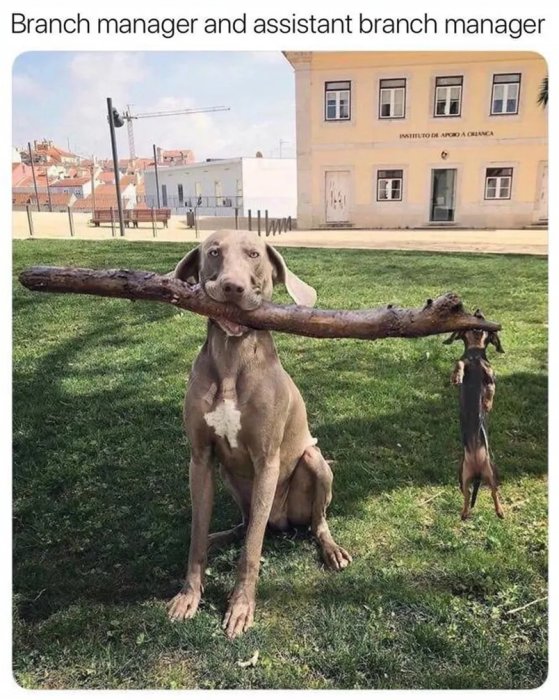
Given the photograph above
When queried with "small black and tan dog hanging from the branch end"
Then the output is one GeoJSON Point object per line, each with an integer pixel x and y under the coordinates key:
{"type": "Point", "coordinates": [476, 379]}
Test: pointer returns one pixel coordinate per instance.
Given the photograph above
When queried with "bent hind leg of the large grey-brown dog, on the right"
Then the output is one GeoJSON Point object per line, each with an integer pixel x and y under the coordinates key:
{"type": "Point", "coordinates": [310, 495]}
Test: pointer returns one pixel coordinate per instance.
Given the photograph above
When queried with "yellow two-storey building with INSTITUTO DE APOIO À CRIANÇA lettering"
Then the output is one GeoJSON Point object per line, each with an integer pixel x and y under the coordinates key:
{"type": "Point", "coordinates": [420, 139]}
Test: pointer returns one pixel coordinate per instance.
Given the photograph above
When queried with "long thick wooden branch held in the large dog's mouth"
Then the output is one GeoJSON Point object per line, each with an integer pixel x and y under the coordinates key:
{"type": "Point", "coordinates": [442, 315]}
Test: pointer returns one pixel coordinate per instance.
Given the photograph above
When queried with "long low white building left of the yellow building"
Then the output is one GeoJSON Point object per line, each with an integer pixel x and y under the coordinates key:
{"type": "Point", "coordinates": [217, 187]}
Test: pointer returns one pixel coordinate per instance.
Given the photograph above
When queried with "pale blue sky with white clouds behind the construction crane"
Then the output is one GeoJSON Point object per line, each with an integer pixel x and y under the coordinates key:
{"type": "Point", "coordinates": [62, 96]}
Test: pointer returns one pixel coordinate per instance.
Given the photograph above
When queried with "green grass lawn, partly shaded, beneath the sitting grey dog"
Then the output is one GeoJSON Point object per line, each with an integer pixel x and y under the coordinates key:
{"type": "Point", "coordinates": [102, 511]}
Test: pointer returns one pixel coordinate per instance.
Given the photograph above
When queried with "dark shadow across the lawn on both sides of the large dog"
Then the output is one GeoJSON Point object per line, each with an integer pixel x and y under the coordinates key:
{"type": "Point", "coordinates": [101, 506]}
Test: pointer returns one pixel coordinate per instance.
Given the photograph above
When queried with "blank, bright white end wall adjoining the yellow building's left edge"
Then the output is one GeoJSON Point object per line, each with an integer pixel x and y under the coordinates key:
{"type": "Point", "coordinates": [270, 183]}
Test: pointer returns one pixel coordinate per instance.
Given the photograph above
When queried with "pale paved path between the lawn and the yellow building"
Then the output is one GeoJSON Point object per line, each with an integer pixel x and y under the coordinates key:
{"type": "Point", "coordinates": [523, 241]}
